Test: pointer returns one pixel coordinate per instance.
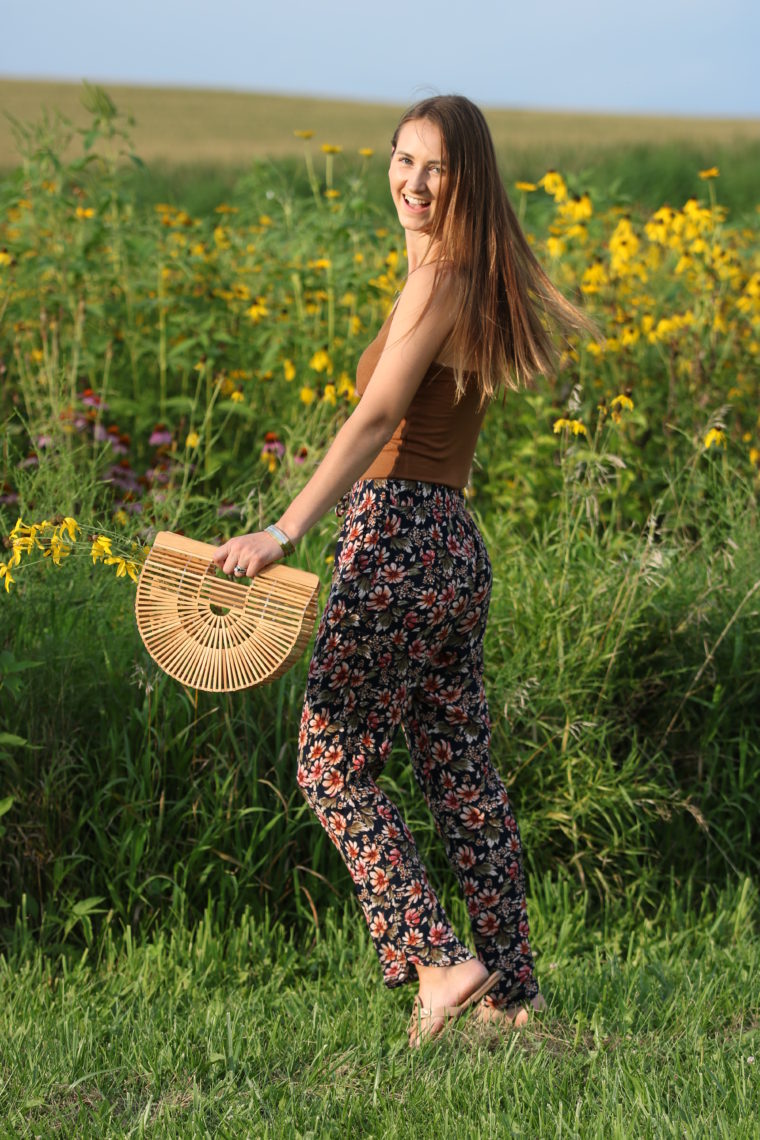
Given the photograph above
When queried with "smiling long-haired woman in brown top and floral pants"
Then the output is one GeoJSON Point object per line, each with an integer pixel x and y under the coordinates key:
{"type": "Point", "coordinates": [401, 642]}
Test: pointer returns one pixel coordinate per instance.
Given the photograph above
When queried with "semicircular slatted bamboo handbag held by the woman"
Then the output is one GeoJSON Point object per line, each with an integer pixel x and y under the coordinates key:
{"type": "Point", "coordinates": [215, 634]}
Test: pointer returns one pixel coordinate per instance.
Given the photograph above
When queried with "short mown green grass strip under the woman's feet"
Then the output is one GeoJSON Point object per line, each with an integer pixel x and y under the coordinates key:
{"type": "Point", "coordinates": [653, 1030]}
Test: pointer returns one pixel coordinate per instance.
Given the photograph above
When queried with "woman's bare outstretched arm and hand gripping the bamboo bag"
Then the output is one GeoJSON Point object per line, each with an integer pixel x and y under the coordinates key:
{"type": "Point", "coordinates": [413, 345]}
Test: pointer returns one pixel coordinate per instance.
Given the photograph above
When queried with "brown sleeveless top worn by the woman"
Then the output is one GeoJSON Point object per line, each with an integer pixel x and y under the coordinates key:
{"type": "Point", "coordinates": [436, 441]}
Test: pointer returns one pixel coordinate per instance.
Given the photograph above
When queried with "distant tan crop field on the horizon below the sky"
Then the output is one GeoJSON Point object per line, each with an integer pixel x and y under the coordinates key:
{"type": "Point", "coordinates": [232, 128]}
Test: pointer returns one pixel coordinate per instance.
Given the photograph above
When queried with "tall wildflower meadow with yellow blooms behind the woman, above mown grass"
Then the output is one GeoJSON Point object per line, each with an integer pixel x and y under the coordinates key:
{"type": "Point", "coordinates": [169, 371]}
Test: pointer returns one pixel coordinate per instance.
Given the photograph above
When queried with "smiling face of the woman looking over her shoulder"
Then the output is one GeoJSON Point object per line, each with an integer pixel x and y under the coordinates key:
{"type": "Point", "coordinates": [416, 174]}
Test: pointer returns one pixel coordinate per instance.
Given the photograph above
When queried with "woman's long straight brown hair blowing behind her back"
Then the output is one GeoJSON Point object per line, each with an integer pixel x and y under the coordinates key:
{"type": "Point", "coordinates": [510, 312]}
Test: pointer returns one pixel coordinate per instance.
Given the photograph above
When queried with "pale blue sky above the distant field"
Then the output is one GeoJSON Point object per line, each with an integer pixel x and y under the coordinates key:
{"type": "Point", "coordinates": [674, 56]}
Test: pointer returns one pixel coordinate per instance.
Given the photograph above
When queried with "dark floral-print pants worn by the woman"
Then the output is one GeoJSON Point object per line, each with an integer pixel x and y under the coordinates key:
{"type": "Point", "coordinates": [401, 645]}
